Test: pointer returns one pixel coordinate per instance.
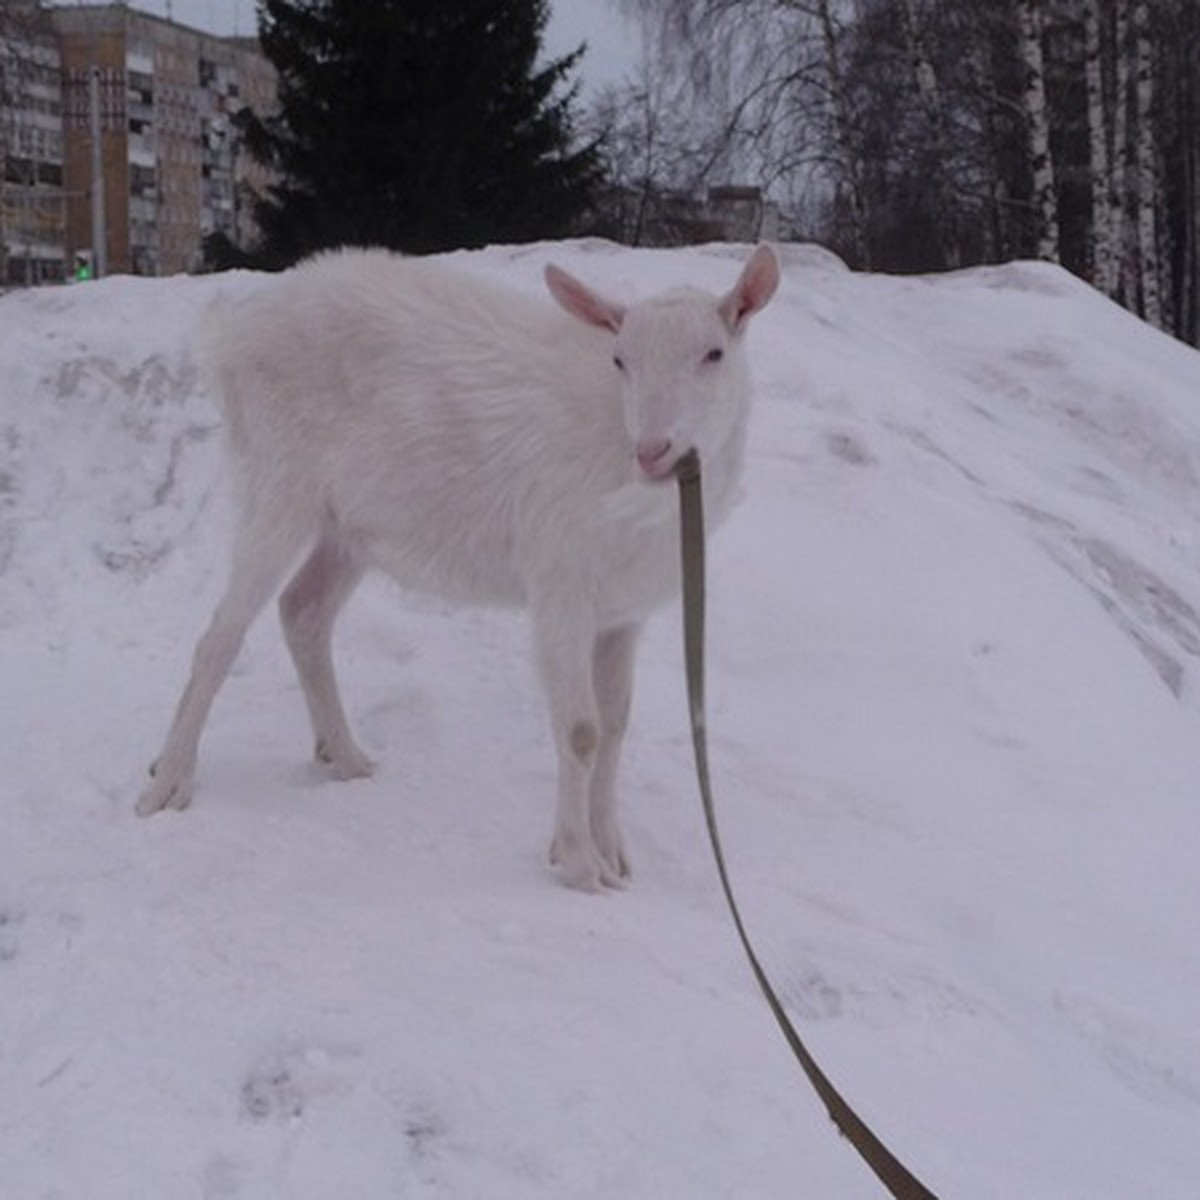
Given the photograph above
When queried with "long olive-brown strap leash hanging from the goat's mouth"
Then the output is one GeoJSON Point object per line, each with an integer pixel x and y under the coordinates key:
{"type": "Point", "coordinates": [891, 1172]}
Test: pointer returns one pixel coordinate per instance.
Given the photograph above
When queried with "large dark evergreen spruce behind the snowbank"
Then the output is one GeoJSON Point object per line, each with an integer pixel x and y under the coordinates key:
{"type": "Point", "coordinates": [419, 125]}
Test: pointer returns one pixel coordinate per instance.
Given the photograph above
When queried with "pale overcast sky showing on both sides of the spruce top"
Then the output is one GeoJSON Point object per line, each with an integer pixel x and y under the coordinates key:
{"type": "Point", "coordinates": [613, 41]}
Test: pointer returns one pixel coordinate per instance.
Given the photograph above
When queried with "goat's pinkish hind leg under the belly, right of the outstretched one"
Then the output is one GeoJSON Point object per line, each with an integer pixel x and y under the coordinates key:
{"type": "Point", "coordinates": [308, 609]}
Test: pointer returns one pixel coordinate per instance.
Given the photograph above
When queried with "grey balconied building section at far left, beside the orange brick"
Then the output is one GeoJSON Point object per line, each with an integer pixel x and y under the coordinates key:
{"type": "Point", "coordinates": [33, 215]}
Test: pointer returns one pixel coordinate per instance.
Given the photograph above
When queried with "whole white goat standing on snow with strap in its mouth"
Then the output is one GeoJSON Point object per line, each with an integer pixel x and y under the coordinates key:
{"type": "Point", "coordinates": [471, 442]}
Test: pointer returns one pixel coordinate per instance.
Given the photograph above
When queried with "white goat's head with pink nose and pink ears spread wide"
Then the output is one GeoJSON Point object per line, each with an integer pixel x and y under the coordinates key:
{"type": "Point", "coordinates": [680, 361]}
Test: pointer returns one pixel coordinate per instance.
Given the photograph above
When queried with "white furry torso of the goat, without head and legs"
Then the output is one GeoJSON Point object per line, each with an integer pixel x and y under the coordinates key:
{"type": "Point", "coordinates": [464, 435]}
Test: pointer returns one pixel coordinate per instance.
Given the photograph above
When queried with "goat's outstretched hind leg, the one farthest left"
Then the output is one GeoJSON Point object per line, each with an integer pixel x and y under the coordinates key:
{"type": "Point", "coordinates": [262, 555]}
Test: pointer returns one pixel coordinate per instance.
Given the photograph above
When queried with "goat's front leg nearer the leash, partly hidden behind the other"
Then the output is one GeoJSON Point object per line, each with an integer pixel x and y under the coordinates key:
{"type": "Point", "coordinates": [613, 667]}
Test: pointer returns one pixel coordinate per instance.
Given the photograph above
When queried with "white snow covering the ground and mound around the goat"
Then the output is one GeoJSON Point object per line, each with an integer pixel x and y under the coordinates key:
{"type": "Point", "coordinates": [955, 711]}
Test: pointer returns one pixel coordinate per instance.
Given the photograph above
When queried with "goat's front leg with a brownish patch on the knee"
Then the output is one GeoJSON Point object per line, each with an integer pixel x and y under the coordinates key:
{"type": "Point", "coordinates": [565, 637]}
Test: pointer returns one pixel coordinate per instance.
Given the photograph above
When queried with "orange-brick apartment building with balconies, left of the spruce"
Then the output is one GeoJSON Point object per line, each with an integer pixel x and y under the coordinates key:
{"type": "Point", "coordinates": [142, 107]}
